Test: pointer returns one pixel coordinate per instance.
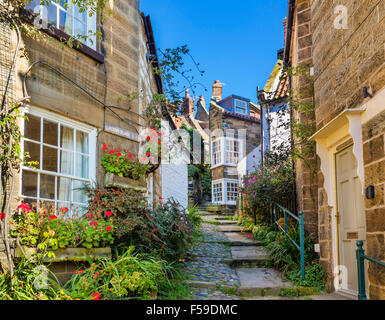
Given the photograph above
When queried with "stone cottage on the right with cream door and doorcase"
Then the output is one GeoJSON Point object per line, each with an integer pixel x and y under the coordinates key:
{"type": "Point", "coordinates": [342, 47]}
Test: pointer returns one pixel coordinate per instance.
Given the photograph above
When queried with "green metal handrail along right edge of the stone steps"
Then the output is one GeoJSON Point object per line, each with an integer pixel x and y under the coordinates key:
{"type": "Point", "coordinates": [276, 211]}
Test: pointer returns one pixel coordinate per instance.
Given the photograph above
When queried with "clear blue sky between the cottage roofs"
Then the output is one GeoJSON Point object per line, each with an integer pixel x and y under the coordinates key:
{"type": "Point", "coordinates": [235, 42]}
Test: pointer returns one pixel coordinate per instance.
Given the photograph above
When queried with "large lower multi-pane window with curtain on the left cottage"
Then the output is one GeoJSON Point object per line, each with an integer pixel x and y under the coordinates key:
{"type": "Point", "coordinates": [63, 152]}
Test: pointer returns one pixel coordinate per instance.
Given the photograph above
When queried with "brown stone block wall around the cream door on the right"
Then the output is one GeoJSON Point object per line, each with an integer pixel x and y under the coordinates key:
{"type": "Point", "coordinates": [345, 61]}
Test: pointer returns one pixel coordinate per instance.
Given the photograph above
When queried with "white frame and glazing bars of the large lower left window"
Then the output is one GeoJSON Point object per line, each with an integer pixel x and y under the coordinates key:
{"type": "Point", "coordinates": [92, 140]}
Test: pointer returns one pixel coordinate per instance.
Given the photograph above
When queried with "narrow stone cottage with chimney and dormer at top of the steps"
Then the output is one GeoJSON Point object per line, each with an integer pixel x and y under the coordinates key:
{"type": "Point", "coordinates": [235, 144]}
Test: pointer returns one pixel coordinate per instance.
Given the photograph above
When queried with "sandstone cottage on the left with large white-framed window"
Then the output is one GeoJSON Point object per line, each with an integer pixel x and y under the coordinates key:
{"type": "Point", "coordinates": [78, 98]}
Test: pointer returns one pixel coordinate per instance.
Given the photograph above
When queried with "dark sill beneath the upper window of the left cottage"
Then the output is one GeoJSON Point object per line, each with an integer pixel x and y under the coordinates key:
{"type": "Point", "coordinates": [62, 36]}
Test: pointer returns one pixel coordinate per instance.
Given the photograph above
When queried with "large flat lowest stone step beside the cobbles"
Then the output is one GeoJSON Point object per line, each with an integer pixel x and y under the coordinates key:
{"type": "Point", "coordinates": [260, 282]}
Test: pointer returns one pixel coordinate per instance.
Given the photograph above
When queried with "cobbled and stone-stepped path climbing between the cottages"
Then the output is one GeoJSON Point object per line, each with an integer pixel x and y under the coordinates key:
{"type": "Point", "coordinates": [224, 264]}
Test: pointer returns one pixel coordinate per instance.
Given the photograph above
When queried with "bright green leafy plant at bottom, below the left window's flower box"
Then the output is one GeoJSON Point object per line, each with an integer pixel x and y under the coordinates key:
{"type": "Point", "coordinates": [130, 276]}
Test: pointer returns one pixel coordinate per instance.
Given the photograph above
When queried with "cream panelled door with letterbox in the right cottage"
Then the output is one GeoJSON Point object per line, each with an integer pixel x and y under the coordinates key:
{"type": "Point", "coordinates": [351, 217]}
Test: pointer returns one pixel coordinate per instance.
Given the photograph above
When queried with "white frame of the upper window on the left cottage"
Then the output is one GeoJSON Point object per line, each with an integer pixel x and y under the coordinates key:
{"type": "Point", "coordinates": [90, 24]}
